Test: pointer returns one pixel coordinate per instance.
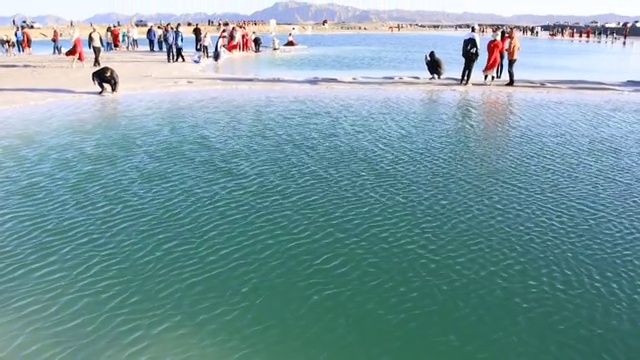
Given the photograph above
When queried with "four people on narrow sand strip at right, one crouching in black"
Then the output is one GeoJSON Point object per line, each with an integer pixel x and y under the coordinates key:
{"type": "Point", "coordinates": [504, 45]}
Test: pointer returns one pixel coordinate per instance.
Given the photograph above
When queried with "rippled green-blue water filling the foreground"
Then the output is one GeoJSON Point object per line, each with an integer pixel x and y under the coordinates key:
{"type": "Point", "coordinates": [324, 224]}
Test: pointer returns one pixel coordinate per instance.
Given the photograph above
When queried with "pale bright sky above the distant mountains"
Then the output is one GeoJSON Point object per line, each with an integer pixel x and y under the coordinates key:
{"type": "Point", "coordinates": [81, 9]}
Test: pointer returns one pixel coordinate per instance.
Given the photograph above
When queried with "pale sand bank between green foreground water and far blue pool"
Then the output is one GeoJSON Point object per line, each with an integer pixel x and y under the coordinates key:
{"type": "Point", "coordinates": [37, 79]}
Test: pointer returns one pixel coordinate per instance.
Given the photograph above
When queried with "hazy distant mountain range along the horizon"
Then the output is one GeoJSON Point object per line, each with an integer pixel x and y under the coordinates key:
{"type": "Point", "coordinates": [296, 12]}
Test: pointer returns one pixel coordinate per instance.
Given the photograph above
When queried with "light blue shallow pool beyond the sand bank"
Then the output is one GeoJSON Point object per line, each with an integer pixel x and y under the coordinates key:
{"type": "Point", "coordinates": [402, 54]}
